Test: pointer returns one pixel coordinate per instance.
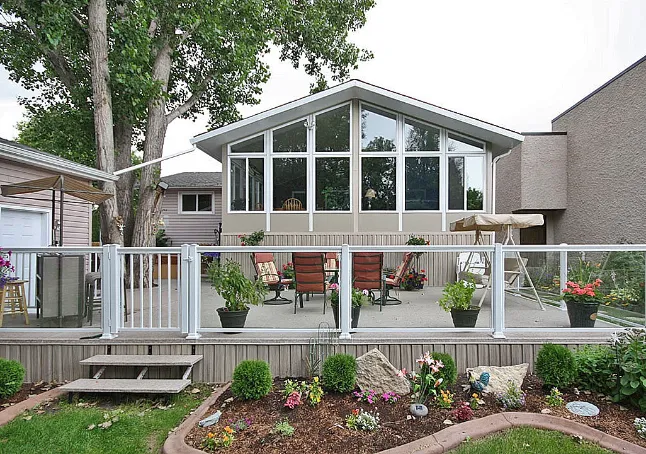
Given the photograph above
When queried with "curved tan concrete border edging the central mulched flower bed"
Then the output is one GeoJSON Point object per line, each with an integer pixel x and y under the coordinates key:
{"type": "Point", "coordinates": [444, 440]}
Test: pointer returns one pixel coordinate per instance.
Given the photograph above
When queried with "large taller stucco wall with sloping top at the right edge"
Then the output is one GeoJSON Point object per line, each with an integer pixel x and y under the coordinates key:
{"type": "Point", "coordinates": [606, 140]}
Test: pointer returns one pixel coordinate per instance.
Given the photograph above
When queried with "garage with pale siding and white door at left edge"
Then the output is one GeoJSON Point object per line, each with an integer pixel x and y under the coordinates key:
{"type": "Point", "coordinates": [26, 221]}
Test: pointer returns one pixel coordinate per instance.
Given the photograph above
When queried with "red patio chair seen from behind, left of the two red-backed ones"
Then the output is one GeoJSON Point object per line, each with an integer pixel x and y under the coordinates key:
{"type": "Point", "coordinates": [309, 274]}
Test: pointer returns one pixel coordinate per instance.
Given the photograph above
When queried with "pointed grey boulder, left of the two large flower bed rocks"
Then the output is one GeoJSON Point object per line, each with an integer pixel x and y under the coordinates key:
{"type": "Point", "coordinates": [375, 372]}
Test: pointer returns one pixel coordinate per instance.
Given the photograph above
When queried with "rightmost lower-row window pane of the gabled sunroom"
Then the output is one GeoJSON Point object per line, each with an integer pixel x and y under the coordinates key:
{"type": "Point", "coordinates": [466, 183]}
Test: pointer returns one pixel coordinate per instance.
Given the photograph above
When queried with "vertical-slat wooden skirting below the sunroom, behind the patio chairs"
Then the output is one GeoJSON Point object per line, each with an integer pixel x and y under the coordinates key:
{"type": "Point", "coordinates": [439, 266]}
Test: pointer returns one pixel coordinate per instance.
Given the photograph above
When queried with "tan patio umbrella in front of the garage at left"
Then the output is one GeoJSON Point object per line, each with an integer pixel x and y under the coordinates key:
{"type": "Point", "coordinates": [63, 185]}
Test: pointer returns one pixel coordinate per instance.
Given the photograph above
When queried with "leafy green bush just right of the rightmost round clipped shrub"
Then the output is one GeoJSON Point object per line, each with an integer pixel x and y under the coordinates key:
{"type": "Point", "coordinates": [595, 368]}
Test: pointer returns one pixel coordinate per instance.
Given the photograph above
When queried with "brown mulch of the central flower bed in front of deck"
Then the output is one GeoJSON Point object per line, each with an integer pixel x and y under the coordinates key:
{"type": "Point", "coordinates": [321, 429]}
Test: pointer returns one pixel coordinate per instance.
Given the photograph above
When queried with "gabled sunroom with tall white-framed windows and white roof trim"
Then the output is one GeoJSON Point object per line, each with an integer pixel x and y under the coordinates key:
{"type": "Point", "coordinates": [354, 159]}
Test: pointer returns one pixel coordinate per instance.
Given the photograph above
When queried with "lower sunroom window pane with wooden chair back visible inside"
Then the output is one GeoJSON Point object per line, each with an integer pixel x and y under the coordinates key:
{"type": "Point", "coordinates": [290, 184]}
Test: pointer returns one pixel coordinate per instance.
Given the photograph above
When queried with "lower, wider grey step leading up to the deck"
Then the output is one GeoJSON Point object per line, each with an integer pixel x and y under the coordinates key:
{"type": "Point", "coordinates": [125, 385]}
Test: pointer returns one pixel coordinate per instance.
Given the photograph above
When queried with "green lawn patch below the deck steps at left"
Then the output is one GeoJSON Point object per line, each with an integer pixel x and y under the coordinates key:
{"type": "Point", "coordinates": [142, 427]}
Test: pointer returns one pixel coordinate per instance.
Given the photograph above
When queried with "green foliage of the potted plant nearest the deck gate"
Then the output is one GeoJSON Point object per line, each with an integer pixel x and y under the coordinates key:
{"type": "Point", "coordinates": [230, 282]}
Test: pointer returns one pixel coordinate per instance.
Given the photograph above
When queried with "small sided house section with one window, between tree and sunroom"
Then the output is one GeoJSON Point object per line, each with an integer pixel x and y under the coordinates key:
{"type": "Point", "coordinates": [192, 207]}
